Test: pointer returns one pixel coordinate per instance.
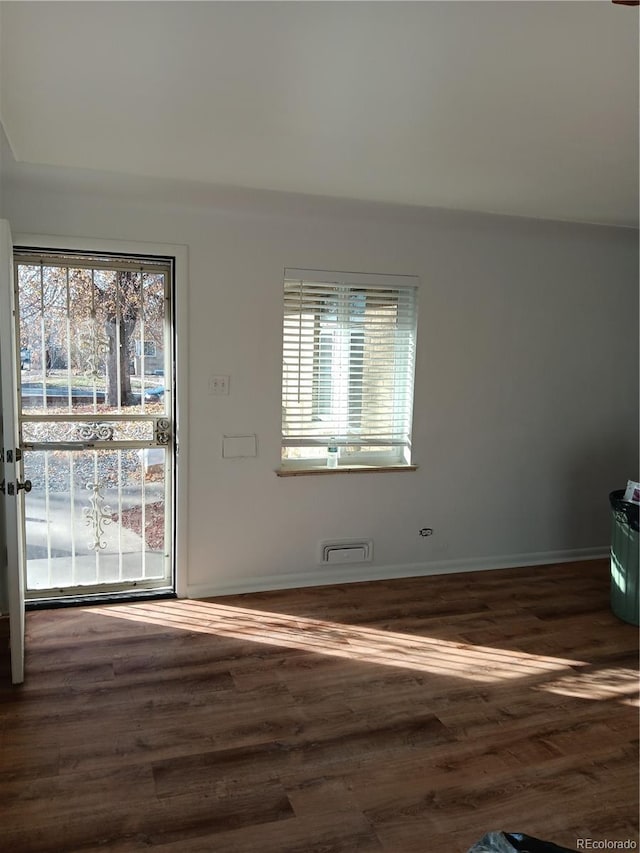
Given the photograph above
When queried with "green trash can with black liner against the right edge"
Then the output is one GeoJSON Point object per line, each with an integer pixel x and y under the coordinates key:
{"type": "Point", "coordinates": [624, 558]}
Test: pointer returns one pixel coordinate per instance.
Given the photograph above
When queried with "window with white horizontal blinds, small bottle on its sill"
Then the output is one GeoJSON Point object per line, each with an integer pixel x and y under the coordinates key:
{"type": "Point", "coordinates": [347, 368]}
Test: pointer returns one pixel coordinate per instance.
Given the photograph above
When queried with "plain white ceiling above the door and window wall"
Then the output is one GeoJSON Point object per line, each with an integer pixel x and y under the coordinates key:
{"type": "Point", "coordinates": [525, 108]}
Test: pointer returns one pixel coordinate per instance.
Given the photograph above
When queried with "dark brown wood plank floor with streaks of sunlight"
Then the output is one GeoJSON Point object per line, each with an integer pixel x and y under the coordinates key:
{"type": "Point", "coordinates": [402, 716]}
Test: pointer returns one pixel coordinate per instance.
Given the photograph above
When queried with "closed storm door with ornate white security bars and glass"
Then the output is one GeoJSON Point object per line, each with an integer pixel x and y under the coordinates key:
{"type": "Point", "coordinates": [95, 401]}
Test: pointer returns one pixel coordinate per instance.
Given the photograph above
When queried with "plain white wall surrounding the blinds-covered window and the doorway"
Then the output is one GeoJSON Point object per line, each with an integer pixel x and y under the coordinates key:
{"type": "Point", "coordinates": [526, 404]}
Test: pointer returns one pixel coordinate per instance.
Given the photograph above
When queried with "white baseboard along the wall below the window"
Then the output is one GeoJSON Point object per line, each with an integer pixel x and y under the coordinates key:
{"type": "Point", "coordinates": [325, 575]}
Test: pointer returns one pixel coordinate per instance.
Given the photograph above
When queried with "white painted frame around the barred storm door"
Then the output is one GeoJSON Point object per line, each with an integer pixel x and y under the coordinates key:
{"type": "Point", "coordinates": [179, 255]}
